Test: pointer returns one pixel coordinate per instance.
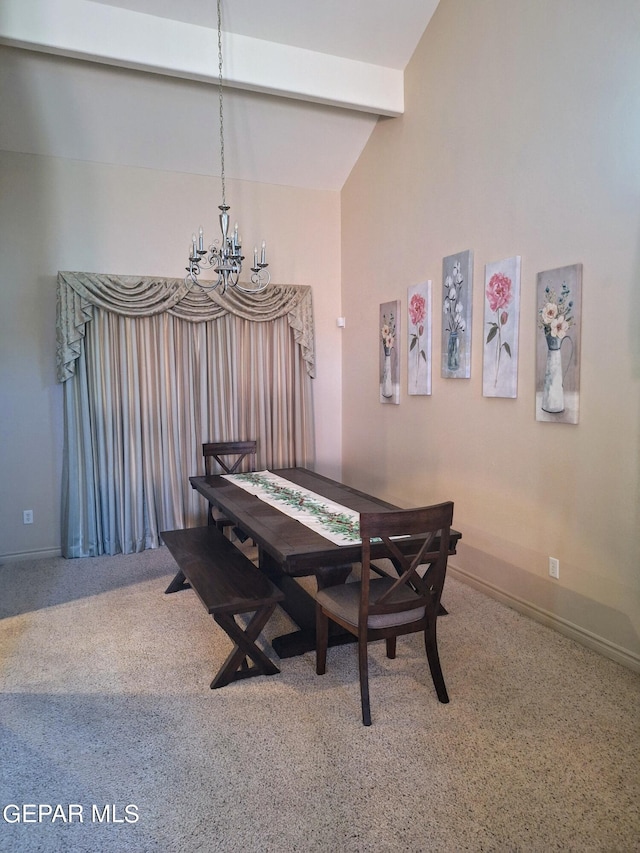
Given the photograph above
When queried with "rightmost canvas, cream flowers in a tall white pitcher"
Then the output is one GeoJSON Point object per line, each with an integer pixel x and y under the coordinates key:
{"type": "Point", "coordinates": [559, 311]}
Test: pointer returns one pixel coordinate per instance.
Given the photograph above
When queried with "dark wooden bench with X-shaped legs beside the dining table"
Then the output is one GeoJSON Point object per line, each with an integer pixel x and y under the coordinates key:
{"type": "Point", "coordinates": [227, 583]}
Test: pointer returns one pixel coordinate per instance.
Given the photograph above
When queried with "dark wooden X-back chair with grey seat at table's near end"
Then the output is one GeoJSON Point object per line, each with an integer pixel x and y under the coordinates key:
{"type": "Point", "coordinates": [385, 607]}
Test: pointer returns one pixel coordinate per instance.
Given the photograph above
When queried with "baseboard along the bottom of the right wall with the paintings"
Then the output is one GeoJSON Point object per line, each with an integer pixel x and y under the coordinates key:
{"type": "Point", "coordinates": [563, 626]}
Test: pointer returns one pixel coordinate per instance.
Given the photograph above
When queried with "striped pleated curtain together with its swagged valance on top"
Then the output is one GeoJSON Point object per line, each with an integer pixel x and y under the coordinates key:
{"type": "Point", "coordinates": [151, 370]}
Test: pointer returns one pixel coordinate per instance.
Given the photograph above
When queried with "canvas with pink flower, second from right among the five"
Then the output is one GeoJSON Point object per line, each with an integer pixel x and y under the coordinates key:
{"type": "Point", "coordinates": [501, 323]}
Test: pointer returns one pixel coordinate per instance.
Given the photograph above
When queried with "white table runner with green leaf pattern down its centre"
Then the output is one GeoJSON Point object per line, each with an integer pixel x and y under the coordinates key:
{"type": "Point", "coordinates": [335, 522]}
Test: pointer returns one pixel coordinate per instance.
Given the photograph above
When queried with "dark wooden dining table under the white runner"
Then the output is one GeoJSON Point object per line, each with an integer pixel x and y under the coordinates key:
{"type": "Point", "coordinates": [289, 549]}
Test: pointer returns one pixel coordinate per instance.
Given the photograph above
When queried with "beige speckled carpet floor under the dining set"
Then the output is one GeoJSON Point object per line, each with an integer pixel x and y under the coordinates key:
{"type": "Point", "coordinates": [106, 717]}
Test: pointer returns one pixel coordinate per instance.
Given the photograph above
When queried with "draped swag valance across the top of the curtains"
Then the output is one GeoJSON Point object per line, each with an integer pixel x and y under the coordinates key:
{"type": "Point", "coordinates": [140, 296]}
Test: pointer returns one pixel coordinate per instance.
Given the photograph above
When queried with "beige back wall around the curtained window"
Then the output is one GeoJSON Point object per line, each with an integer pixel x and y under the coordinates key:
{"type": "Point", "coordinates": [58, 214]}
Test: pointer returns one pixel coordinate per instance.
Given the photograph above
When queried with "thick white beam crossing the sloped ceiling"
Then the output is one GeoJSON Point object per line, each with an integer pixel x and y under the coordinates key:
{"type": "Point", "coordinates": [107, 34]}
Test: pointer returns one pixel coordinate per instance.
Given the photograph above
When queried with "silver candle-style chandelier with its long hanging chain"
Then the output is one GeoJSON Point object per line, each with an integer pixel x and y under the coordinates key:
{"type": "Point", "coordinates": [225, 256]}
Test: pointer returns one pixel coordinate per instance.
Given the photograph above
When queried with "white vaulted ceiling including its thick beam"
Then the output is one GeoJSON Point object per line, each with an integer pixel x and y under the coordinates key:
{"type": "Point", "coordinates": [134, 82]}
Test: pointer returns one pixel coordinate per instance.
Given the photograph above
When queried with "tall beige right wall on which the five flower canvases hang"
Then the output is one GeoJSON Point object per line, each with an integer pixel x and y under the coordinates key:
{"type": "Point", "coordinates": [521, 137]}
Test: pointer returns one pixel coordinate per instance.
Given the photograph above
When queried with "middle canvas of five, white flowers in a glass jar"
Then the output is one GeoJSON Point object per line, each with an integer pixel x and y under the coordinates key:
{"type": "Point", "coordinates": [457, 281]}
